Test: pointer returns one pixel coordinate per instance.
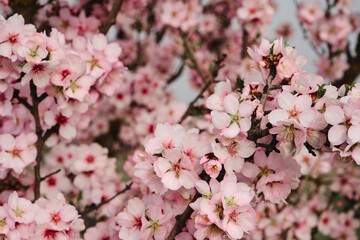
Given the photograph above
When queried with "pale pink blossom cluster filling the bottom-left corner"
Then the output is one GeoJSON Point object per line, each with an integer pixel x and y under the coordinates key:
{"type": "Point", "coordinates": [45, 219]}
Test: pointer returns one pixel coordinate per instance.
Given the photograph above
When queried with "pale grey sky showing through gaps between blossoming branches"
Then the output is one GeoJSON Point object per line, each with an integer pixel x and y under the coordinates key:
{"type": "Point", "coordinates": [286, 12]}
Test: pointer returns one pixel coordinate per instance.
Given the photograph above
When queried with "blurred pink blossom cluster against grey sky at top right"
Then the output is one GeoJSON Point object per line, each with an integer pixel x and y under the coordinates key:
{"type": "Point", "coordinates": [337, 23]}
